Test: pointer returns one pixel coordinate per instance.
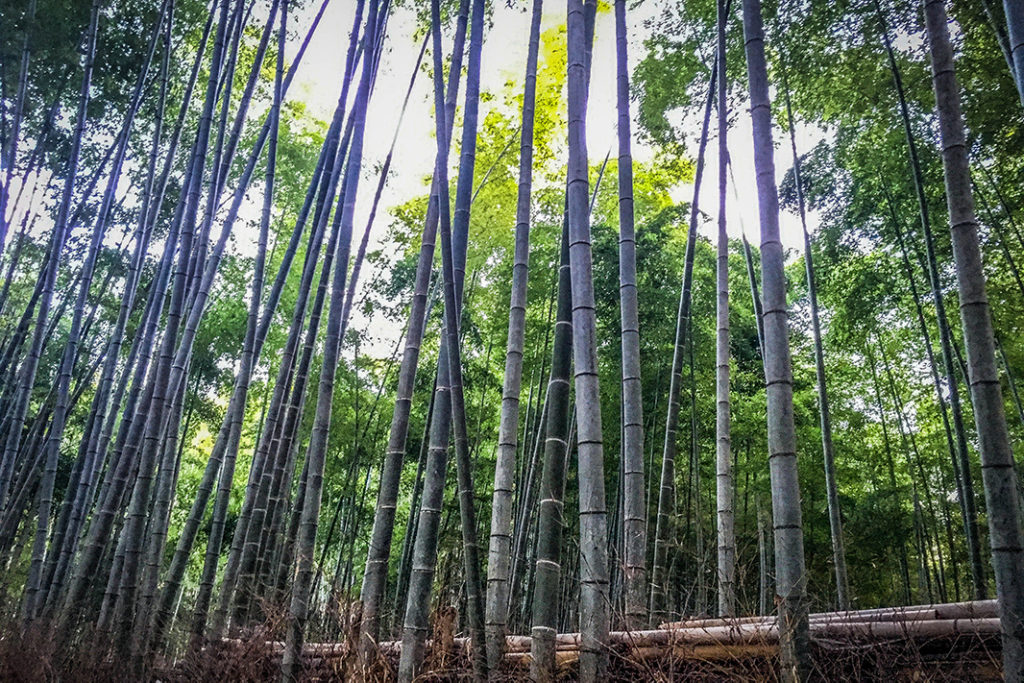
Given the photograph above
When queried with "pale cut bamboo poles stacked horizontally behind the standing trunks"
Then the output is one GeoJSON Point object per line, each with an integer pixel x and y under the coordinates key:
{"type": "Point", "coordinates": [742, 637]}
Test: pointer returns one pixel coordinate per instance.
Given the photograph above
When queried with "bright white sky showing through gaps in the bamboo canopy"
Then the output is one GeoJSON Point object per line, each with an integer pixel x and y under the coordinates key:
{"type": "Point", "coordinates": [504, 59]}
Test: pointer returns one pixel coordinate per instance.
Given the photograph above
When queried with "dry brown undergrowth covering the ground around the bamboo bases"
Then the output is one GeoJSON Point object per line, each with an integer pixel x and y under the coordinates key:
{"type": "Point", "coordinates": [31, 655]}
